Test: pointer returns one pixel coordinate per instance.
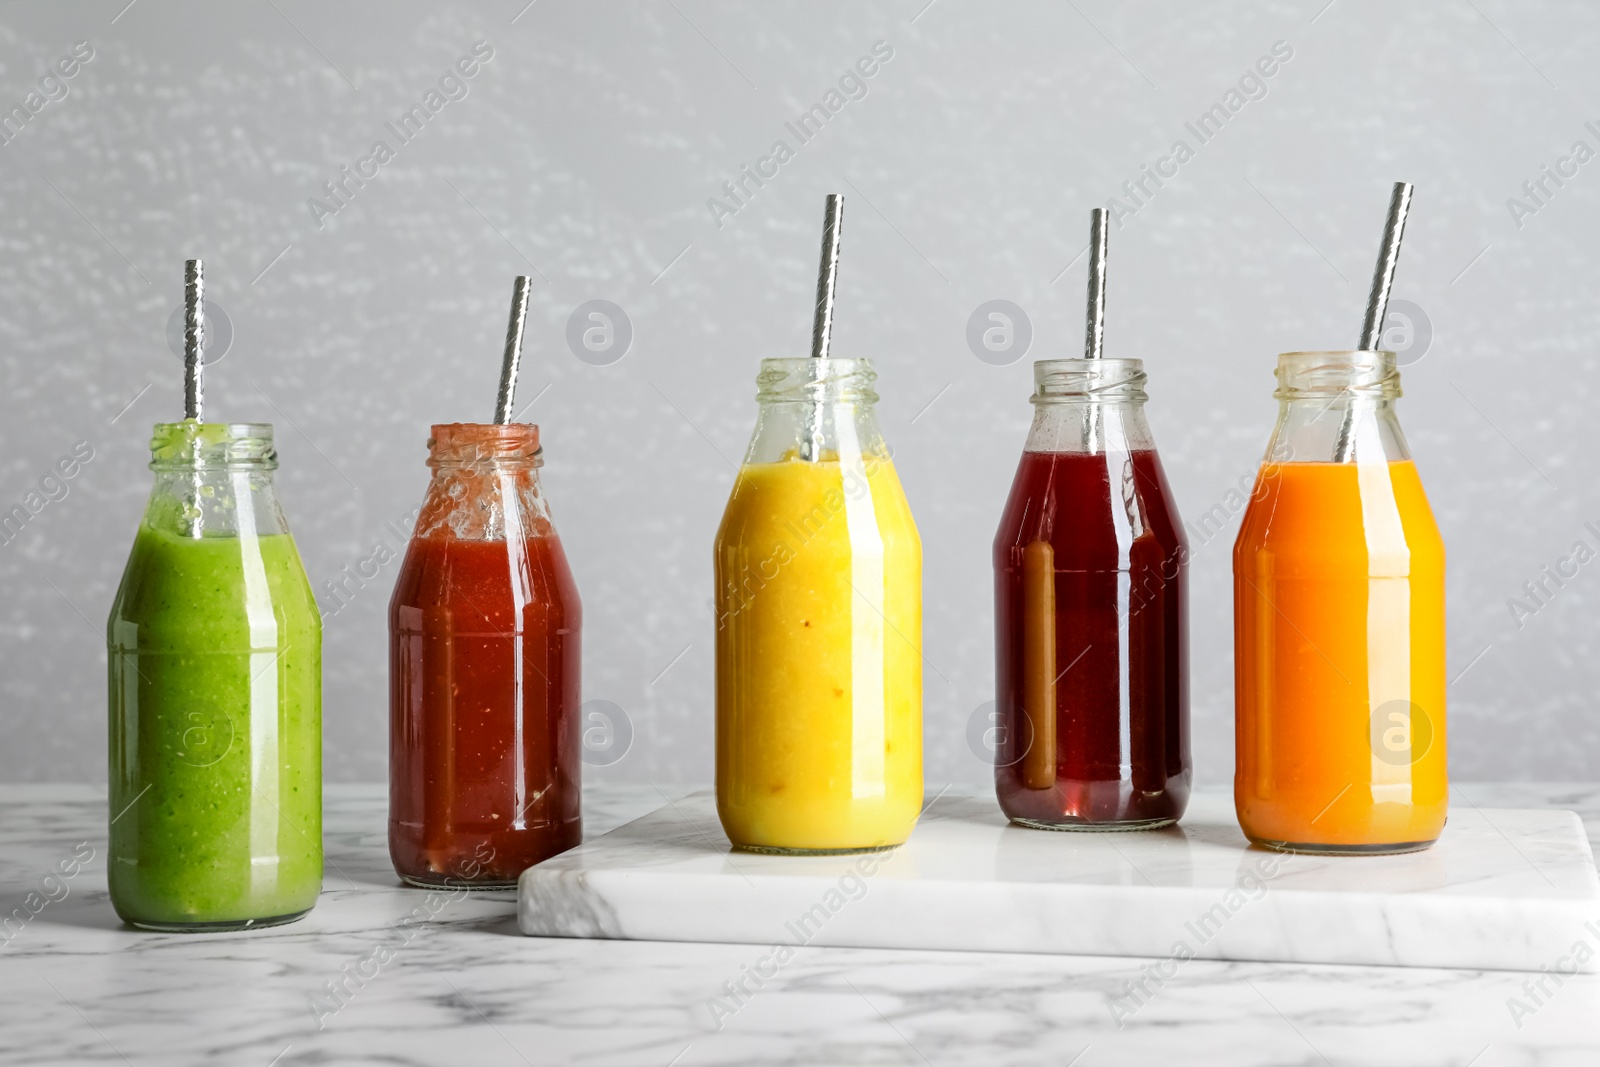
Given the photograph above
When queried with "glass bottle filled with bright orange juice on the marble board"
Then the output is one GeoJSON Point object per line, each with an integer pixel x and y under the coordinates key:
{"type": "Point", "coordinates": [1340, 623]}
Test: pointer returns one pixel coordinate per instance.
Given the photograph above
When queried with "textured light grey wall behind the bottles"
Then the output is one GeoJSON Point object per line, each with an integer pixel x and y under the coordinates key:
{"type": "Point", "coordinates": [586, 153]}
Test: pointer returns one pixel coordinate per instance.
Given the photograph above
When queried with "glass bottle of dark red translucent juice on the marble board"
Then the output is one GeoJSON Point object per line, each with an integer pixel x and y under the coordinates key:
{"type": "Point", "coordinates": [1092, 633]}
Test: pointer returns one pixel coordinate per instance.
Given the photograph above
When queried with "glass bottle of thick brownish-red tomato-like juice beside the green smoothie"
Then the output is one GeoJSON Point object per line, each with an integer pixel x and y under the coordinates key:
{"type": "Point", "coordinates": [484, 671]}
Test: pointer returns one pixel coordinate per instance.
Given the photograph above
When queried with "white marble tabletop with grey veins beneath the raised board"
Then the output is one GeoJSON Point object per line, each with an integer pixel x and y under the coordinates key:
{"type": "Point", "coordinates": [78, 988]}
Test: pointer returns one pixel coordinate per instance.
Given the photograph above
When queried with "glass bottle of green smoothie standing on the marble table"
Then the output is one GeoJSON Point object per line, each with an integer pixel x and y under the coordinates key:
{"type": "Point", "coordinates": [215, 697]}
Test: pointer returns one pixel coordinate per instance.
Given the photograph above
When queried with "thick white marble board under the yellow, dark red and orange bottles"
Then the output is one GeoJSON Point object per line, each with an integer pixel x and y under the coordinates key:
{"type": "Point", "coordinates": [1502, 890]}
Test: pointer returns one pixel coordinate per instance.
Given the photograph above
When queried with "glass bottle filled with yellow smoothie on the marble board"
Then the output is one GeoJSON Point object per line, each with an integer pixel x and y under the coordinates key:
{"type": "Point", "coordinates": [818, 625]}
